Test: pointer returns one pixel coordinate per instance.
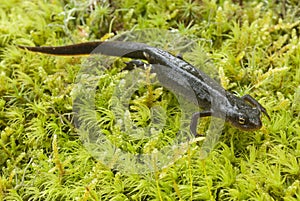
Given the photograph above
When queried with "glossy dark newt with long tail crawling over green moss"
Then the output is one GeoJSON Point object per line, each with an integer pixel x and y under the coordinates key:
{"type": "Point", "coordinates": [181, 77]}
